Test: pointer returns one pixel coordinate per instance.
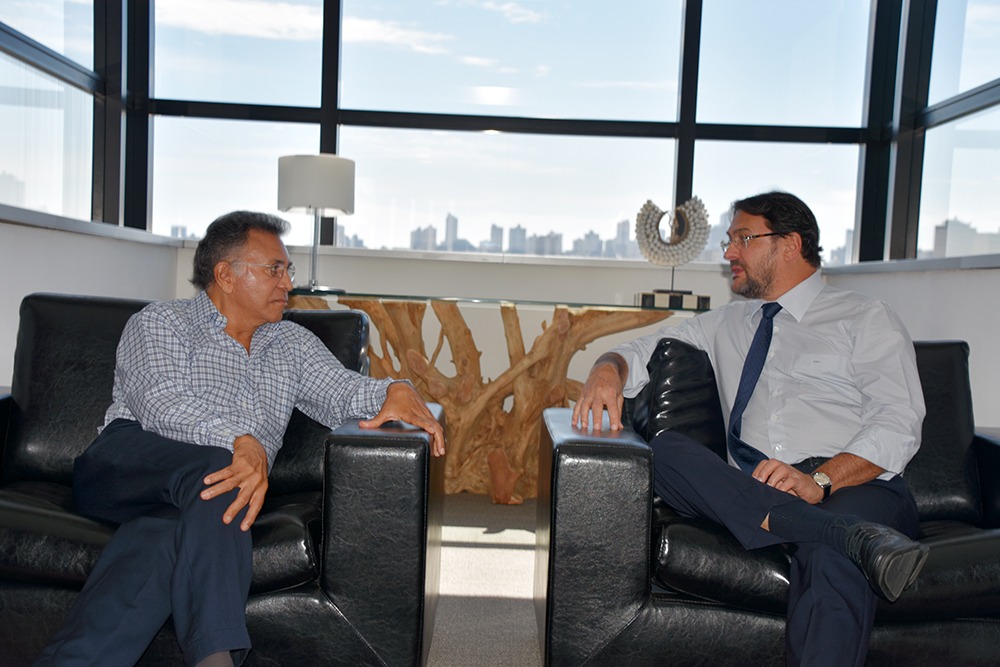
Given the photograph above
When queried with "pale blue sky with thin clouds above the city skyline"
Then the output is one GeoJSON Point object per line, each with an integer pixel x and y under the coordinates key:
{"type": "Point", "coordinates": [768, 61]}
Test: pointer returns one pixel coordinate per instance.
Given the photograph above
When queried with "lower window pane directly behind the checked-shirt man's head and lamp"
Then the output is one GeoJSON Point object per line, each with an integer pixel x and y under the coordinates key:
{"type": "Point", "coordinates": [204, 168]}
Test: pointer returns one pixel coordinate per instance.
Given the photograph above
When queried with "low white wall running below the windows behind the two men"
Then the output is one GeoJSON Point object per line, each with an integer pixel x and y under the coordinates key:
{"type": "Point", "coordinates": [935, 302]}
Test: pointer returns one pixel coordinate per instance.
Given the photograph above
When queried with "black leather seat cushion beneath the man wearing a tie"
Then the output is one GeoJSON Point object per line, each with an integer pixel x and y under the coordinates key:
{"type": "Point", "coordinates": [702, 559]}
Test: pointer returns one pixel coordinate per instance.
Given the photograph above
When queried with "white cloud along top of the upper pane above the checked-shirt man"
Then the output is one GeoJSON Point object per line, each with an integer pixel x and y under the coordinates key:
{"type": "Point", "coordinates": [243, 18]}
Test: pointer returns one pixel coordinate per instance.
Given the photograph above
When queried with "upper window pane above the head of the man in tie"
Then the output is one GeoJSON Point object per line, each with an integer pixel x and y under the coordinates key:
{"type": "Point", "coordinates": [783, 62]}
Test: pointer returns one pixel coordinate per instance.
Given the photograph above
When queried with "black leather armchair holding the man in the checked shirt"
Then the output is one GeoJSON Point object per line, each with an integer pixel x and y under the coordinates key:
{"type": "Point", "coordinates": [346, 552]}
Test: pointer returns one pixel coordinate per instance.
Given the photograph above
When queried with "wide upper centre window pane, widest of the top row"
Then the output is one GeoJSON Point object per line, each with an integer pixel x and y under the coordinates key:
{"type": "Point", "coordinates": [537, 58]}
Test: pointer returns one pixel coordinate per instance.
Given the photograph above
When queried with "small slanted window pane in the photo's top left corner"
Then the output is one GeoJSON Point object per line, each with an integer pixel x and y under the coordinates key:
{"type": "Point", "coordinates": [65, 26]}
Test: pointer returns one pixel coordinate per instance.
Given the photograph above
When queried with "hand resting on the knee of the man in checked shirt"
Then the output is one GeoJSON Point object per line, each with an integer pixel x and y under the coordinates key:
{"type": "Point", "coordinates": [248, 471]}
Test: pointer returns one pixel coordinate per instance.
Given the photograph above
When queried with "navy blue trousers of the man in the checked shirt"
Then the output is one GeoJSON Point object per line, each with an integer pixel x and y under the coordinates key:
{"type": "Point", "coordinates": [171, 555]}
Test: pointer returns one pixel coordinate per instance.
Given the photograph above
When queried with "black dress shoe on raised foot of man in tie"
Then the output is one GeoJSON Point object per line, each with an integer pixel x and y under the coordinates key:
{"type": "Point", "coordinates": [889, 559]}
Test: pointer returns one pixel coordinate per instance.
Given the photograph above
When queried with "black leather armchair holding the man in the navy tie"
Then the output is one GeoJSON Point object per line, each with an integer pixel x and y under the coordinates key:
{"type": "Point", "coordinates": [622, 580]}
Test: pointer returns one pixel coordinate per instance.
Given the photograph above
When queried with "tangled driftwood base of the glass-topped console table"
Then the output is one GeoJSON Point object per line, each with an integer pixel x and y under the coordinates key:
{"type": "Point", "coordinates": [493, 425]}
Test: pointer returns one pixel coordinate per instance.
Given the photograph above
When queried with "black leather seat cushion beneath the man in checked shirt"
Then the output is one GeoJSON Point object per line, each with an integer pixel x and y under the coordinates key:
{"type": "Point", "coordinates": [42, 541]}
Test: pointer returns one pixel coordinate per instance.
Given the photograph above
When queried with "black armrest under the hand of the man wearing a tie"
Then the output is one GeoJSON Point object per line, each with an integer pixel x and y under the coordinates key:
{"type": "Point", "coordinates": [592, 569]}
